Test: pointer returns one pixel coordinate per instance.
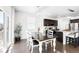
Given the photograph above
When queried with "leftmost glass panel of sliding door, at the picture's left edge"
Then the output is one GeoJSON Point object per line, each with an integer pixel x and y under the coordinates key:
{"type": "Point", "coordinates": [1, 31]}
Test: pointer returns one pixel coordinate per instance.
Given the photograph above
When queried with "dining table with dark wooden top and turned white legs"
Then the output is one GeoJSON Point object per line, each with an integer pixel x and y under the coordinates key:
{"type": "Point", "coordinates": [44, 39]}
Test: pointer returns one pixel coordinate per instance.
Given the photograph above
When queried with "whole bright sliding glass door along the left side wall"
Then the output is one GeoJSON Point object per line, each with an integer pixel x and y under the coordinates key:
{"type": "Point", "coordinates": [4, 31]}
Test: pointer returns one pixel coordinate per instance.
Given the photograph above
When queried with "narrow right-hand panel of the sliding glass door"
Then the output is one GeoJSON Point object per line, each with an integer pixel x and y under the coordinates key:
{"type": "Point", "coordinates": [6, 31]}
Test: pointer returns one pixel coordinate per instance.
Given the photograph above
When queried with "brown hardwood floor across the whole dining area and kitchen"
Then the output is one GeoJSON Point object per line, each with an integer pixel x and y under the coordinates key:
{"type": "Point", "coordinates": [21, 47]}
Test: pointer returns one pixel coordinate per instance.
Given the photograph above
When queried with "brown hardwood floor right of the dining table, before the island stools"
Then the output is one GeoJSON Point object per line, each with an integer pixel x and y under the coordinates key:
{"type": "Point", "coordinates": [67, 48]}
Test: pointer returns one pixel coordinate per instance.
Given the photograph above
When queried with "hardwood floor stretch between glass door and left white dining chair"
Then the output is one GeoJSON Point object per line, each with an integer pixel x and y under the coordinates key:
{"type": "Point", "coordinates": [20, 47]}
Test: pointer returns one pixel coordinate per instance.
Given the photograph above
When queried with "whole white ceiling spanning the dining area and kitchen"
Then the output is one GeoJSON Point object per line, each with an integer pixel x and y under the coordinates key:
{"type": "Point", "coordinates": [52, 11]}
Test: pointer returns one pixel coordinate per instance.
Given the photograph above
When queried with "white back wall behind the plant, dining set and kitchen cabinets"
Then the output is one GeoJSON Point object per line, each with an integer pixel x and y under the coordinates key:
{"type": "Point", "coordinates": [31, 22]}
